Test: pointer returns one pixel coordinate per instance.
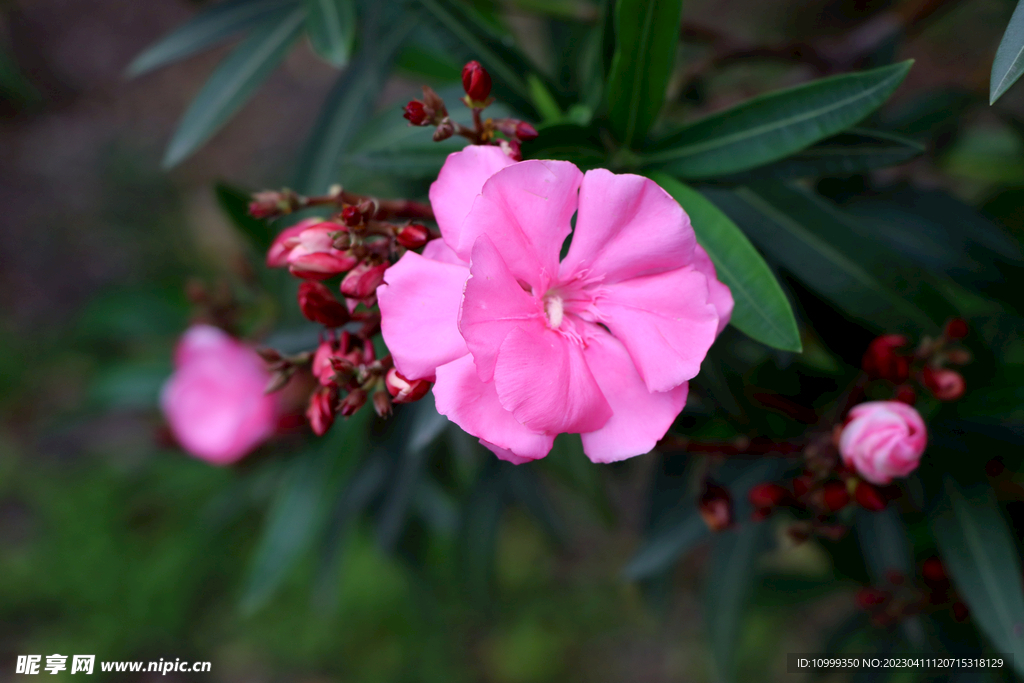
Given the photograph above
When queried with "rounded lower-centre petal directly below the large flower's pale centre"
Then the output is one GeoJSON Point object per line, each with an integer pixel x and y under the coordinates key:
{"type": "Point", "coordinates": [543, 379]}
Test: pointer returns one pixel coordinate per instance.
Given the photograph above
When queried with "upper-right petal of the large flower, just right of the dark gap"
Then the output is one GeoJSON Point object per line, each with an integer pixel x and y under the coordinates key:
{"type": "Point", "coordinates": [628, 227]}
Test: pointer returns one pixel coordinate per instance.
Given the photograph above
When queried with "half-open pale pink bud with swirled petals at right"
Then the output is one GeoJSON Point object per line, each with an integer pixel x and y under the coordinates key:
{"type": "Point", "coordinates": [883, 440]}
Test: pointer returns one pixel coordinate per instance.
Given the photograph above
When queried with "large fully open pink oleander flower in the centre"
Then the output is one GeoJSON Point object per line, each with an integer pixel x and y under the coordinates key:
{"type": "Point", "coordinates": [524, 348]}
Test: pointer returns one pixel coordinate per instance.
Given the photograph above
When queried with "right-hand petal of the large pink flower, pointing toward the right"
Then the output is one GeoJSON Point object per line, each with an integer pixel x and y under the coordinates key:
{"type": "Point", "coordinates": [665, 322]}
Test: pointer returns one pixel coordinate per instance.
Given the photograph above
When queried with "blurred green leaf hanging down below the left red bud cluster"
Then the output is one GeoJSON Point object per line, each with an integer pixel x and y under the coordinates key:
{"type": "Point", "coordinates": [298, 511]}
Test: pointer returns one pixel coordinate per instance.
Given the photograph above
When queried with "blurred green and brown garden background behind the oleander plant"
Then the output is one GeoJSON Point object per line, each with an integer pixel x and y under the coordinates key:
{"type": "Point", "coordinates": [115, 543]}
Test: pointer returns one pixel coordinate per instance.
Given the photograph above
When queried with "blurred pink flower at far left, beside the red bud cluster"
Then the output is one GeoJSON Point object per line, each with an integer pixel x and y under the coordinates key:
{"type": "Point", "coordinates": [215, 402]}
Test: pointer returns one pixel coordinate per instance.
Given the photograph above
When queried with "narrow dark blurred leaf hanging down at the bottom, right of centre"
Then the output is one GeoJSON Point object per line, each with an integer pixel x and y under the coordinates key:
{"type": "Point", "coordinates": [731, 580]}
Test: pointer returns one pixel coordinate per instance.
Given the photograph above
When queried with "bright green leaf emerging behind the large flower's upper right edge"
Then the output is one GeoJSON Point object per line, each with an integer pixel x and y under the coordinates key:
{"type": "Point", "coordinates": [761, 312]}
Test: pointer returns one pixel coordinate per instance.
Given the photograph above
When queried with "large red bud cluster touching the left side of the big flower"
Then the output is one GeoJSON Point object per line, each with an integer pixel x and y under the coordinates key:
{"type": "Point", "coordinates": [355, 245]}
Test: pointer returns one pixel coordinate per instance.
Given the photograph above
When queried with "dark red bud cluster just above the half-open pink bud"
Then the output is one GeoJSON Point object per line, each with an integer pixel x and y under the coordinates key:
{"type": "Point", "coordinates": [886, 361]}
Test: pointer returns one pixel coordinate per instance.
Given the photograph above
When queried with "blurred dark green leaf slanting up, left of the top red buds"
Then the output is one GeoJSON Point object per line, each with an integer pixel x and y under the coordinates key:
{"type": "Point", "coordinates": [348, 109]}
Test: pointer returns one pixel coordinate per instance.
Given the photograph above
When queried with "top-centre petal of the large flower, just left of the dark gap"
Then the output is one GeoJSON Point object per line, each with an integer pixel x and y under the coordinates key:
{"type": "Point", "coordinates": [527, 210]}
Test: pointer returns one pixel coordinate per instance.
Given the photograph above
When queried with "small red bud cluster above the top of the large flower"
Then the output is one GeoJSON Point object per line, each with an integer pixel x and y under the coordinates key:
{"type": "Point", "coordinates": [477, 82]}
